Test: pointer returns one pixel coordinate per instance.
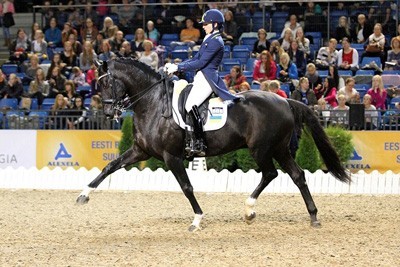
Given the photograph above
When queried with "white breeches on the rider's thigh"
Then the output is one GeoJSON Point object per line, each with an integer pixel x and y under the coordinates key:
{"type": "Point", "coordinates": [200, 91]}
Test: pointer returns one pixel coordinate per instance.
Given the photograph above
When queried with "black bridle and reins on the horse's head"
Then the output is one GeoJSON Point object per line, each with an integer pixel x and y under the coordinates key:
{"type": "Point", "coordinates": [121, 105]}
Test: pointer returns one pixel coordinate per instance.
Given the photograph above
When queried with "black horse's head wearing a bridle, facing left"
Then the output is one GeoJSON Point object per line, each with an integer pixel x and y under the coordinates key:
{"type": "Point", "coordinates": [113, 91]}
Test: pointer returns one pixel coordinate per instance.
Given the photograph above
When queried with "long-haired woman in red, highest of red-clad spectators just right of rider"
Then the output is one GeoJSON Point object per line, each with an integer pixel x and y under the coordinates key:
{"type": "Point", "coordinates": [264, 68]}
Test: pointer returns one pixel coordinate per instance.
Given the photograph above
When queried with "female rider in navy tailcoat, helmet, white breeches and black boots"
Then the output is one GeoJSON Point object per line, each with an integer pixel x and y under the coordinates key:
{"type": "Point", "coordinates": [206, 80]}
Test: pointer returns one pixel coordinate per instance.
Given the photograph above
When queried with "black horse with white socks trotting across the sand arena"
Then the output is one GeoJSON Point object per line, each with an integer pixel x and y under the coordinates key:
{"type": "Point", "coordinates": [262, 122]}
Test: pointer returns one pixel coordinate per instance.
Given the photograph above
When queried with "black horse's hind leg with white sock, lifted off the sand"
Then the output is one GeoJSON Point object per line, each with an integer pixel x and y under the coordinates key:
{"type": "Point", "coordinates": [268, 174]}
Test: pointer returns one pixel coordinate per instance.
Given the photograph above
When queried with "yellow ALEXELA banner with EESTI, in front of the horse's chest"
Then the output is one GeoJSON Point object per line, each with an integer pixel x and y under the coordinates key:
{"type": "Point", "coordinates": [76, 149]}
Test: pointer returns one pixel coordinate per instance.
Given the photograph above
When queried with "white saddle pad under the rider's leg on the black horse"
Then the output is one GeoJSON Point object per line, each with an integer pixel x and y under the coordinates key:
{"type": "Point", "coordinates": [216, 115]}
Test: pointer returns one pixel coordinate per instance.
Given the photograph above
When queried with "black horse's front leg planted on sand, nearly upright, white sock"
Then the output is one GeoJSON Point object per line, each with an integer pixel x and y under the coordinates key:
{"type": "Point", "coordinates": [175, 164]}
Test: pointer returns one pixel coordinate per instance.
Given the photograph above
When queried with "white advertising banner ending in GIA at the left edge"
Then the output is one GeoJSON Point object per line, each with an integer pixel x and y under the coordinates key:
{"type": "Point", "coordinates": [17, 148]}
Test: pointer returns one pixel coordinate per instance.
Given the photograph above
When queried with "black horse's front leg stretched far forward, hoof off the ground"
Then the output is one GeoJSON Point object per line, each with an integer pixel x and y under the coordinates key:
{"type": "Point", "coordinates": [131, 156]}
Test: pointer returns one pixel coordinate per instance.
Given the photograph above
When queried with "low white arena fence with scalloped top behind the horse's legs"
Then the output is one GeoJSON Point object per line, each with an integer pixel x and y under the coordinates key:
{"type": "Point", "coordinates": [202, 181]}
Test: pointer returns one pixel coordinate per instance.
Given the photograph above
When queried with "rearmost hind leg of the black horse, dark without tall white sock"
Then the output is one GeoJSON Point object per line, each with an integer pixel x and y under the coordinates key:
{"type": "Point", "coordinates": [288, 164]}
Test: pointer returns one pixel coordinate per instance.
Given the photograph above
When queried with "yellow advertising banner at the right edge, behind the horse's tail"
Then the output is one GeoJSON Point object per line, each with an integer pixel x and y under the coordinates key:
{"type": "Point", "coordinates": [375, 151]}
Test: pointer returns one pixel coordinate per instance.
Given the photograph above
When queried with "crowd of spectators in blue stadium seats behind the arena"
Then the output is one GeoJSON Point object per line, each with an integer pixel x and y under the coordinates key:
{"type": "Point", "coordinates": [57, 56]}
